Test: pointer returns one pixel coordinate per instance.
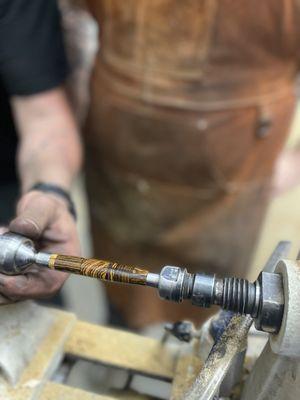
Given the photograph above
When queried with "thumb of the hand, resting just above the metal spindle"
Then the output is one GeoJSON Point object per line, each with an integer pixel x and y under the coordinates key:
{"type": "Point", "coordinates": [35, 212]}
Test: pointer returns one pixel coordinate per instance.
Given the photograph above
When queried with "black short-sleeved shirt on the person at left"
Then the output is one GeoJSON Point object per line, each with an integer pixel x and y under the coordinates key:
{"type": "Point", "coordinates": [32, 60]}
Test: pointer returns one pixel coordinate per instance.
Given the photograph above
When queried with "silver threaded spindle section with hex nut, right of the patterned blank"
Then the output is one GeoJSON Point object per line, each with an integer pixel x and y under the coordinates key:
{"type": "Point", "coordinates": [262, 299]}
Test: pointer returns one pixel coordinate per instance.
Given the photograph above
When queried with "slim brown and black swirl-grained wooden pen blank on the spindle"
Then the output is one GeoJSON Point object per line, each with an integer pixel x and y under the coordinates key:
{"type": "Point", "coordinates": [101, 269]}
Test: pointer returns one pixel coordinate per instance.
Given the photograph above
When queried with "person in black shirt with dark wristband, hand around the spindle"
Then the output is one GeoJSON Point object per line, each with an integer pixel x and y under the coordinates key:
{"type": "Point", "coordinates": [34, 104]}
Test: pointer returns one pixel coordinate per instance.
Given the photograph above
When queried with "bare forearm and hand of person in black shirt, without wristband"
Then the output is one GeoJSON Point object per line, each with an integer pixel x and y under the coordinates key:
{"type": "Point", "coordinates": [50, 152]}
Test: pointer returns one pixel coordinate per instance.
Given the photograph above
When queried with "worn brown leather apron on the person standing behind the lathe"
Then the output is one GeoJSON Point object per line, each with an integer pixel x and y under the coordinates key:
{"type": "Point", "coordinates": [191, 104]}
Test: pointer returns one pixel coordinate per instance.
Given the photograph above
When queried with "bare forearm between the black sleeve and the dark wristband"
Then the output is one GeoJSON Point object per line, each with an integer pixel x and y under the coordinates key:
{"type": "Point", "coordinates": [50, 149]}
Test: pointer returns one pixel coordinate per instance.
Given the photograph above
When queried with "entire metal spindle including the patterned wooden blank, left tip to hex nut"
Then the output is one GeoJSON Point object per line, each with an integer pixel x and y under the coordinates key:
{"type": "Point", "coordinates": [263, 299]}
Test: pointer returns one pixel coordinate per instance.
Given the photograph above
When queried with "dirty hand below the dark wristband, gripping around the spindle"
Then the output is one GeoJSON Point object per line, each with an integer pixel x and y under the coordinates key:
{"type": "Point", "coordinates": [46, 219]}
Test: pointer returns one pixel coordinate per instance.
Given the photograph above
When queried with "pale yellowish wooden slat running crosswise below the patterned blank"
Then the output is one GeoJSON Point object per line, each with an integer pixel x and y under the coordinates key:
{"type": "Point", "coordinates": [123, 350]}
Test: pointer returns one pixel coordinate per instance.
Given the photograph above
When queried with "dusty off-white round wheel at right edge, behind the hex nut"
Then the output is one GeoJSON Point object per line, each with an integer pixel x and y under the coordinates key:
{"type": "Point", "coordinates": [287, 341]}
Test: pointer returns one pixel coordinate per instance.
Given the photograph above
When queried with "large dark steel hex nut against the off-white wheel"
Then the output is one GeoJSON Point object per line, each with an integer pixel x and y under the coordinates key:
{"type": "Point", "coordinates": [271, 306]}
